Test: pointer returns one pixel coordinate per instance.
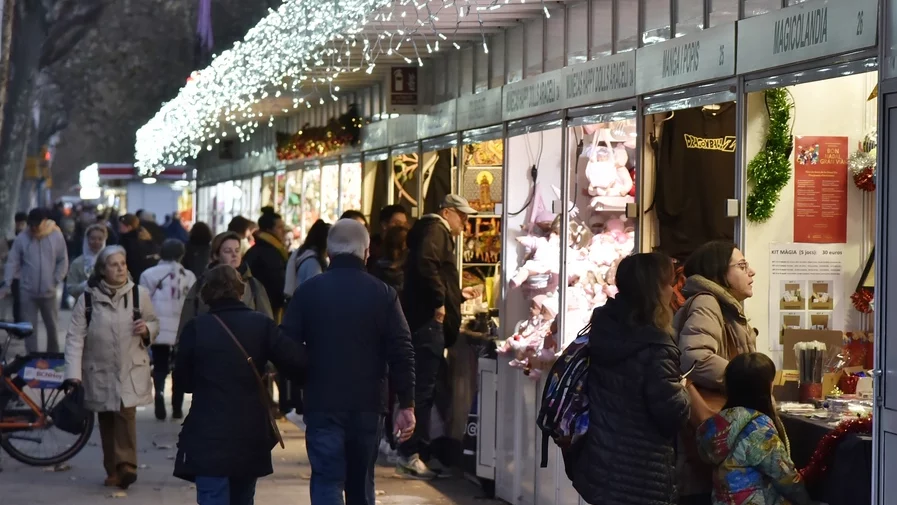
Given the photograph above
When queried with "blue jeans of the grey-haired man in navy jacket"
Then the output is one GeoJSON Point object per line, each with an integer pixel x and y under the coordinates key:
{"type": "Point", "coordinates": [342, 449]}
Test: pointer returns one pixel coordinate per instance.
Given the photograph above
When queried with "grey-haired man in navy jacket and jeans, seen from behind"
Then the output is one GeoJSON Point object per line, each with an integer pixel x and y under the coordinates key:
{"type": "Point", "coordinates": [356, 337]}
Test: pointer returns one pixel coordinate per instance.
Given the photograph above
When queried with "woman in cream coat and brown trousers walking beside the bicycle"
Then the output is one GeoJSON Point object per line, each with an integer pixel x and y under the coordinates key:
{"type": "Point", "coordinates": [113, 325]}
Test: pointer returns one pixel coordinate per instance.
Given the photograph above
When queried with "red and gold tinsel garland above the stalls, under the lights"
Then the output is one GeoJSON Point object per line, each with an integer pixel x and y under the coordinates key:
{"type": "Point", "coordinates": [321, 141]}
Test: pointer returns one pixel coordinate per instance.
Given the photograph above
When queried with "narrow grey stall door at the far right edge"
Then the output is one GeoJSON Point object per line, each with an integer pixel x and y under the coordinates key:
{"type": "Point", "coordinates": [885, 452]}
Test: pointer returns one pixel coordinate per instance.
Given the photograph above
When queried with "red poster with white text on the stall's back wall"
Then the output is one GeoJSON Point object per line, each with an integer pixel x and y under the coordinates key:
{"type": "Point", "coordinates": [820, 190]}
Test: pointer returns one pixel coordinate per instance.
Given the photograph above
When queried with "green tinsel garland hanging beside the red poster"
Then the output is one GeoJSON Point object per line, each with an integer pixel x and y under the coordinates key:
{"type": "Point", "coordinates": [770, 170]}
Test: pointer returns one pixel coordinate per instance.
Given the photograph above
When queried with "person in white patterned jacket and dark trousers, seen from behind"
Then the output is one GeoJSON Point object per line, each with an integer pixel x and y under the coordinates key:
{"type": "Point", "coordinates": [168, 284]}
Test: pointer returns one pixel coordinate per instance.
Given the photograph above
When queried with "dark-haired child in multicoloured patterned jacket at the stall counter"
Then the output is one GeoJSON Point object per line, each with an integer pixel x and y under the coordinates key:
{"type": "Point", "coordinates": [746, 443]}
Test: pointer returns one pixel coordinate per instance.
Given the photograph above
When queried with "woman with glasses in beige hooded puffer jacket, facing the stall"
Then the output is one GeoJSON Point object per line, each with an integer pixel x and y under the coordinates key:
{"type": "Point", "coordinates": [712, 329]}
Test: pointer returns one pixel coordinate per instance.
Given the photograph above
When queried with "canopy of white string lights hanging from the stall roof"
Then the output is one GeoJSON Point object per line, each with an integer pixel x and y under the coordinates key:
{"type": "Point", "coordinates": [295, 56]}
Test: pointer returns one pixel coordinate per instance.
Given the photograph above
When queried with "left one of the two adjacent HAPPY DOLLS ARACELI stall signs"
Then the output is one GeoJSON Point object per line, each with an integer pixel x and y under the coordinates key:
{"type": "Point", "coordinates": [536, 95]}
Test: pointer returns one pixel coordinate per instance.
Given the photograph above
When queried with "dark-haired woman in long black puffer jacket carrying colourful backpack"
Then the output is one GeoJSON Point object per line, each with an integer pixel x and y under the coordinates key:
{"type": "Point", "coordinates": [636, 400]}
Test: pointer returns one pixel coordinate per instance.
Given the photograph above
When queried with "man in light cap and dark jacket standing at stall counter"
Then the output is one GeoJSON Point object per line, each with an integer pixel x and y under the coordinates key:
{"type": "Point", "coordinates": [432, 302]}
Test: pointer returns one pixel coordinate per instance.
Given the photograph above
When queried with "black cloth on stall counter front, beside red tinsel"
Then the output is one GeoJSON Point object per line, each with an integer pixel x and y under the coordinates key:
{"type": "Point", "coordinates": [849, 479]}
